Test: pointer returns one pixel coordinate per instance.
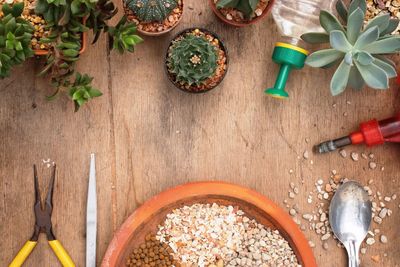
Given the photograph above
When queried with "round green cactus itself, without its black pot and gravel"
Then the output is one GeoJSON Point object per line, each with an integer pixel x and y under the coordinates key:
{"type": "Point", "coordinates": [192, 59]}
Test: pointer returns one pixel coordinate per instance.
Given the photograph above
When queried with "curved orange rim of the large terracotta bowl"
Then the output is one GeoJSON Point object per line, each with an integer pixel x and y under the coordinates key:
{"type": "Point", "coordinates": [142, 214]}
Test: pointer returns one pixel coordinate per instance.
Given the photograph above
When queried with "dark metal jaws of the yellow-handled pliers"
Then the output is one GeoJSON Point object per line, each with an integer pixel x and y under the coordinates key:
{"type": "Point", "coordinates": [43, 212]}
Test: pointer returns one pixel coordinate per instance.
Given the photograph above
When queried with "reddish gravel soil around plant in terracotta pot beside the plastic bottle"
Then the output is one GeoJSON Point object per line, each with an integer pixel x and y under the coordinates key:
{"type": "Point", "coordinates": [232, 15]}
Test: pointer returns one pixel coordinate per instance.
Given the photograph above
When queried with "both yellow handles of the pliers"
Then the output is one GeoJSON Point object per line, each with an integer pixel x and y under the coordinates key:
{"type": "Point", "coordinates": [58, 249]}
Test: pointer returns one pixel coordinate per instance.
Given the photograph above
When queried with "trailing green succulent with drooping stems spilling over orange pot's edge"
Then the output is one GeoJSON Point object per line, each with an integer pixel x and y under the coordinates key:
{"type": "Point", "coordinates": [66, 20]}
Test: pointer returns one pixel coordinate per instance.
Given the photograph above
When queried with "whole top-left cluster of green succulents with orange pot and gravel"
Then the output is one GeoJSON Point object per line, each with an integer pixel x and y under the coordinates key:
{"type": "Point", "coordinates": [56, 30]}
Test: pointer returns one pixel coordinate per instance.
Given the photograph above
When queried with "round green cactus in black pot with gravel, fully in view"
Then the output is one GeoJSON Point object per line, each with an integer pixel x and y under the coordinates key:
{"type": "Point", "coordinates": [196, 60]}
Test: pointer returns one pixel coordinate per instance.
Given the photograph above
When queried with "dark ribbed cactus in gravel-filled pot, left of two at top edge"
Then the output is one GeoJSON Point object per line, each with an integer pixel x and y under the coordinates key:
{"type": "Point", "coordinates": [154, 17]}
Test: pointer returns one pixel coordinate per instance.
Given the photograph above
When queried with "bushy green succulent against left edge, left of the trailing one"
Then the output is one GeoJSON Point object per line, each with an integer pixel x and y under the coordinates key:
{"type": "Point", "coordinates": [15, 37]}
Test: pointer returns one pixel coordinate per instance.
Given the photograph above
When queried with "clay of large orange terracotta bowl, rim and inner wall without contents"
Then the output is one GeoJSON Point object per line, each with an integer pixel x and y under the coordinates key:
{"type": "Point", "coordinates": [146, 218]}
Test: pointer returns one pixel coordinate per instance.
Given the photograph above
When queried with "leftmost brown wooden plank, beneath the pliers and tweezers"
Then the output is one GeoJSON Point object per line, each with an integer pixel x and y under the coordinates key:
{"type": "Point", "coordinates": [52, 130]}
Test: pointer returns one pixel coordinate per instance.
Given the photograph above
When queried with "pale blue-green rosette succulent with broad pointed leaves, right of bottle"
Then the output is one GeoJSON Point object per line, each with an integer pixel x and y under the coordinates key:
{"type": "Point", "coordinates": [359, 49]}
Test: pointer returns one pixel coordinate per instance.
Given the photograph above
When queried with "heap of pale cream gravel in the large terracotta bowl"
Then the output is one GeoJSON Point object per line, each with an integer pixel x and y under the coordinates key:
{"type": "Point", "coordinates": [211, 234]}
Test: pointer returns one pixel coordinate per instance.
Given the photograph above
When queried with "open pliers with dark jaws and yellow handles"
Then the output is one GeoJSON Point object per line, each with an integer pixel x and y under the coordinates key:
{"type": "Point", "coordinates": [43, 225]}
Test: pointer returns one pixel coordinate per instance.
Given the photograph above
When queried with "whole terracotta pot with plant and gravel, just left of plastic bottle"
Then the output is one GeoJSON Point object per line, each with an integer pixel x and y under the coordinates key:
{"type": "Point", "coordinates": [241, 13]}
